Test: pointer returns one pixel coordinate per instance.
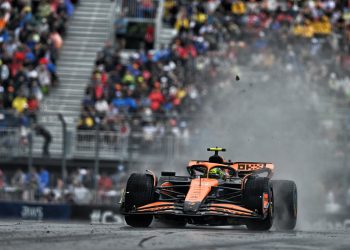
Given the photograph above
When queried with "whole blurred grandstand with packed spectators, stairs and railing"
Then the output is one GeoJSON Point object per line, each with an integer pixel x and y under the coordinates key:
{"type": "Point", "coordinates": [127, 81]}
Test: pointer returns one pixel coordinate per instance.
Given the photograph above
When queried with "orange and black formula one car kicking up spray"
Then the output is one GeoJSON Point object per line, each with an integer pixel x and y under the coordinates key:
{"type": "Point", "coordinates": [214, 193]}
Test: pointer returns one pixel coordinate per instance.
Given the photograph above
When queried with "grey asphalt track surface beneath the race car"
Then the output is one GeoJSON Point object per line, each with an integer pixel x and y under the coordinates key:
{"type": "Point", "coordinates": [43, 235]}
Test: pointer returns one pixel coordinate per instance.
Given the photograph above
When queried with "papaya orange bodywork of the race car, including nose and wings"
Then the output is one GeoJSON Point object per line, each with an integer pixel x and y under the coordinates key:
{"type": "Point", "coordinates": [199, 190]}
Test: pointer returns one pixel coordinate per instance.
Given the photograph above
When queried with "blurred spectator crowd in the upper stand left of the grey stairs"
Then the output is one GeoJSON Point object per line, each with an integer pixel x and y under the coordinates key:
{"type": "Point", "coordinates": [31, 35]}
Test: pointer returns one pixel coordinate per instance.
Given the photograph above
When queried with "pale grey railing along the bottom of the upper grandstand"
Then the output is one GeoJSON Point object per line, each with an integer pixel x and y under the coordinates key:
{"type": "Point", "coordinates": [90, 144]}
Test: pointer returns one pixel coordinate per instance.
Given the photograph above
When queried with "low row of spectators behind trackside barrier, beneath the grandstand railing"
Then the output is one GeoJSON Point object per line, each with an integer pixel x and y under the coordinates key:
{"type": "Point", "coordinates": [45, 186]}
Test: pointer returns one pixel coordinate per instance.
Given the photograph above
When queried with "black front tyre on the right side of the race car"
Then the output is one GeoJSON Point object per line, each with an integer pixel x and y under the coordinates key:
{"type": "Point", "coordinates": [253, 199]}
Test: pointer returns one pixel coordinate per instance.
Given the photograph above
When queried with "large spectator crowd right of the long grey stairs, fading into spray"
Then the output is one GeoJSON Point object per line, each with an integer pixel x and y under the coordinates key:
{"type": "Point", "coordinates": [160, 91]}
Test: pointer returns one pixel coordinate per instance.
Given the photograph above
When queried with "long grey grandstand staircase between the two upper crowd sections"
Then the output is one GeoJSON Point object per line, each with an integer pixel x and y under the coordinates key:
{"type": "Point", "coordinates": [87, 31]}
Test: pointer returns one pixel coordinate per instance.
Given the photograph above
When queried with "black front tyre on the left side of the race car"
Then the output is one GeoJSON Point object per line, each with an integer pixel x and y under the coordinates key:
{"type": "Point", "coordinates": [139, 191]}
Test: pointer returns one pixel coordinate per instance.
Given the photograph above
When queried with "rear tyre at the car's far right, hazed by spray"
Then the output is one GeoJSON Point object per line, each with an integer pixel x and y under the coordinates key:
{"type": "Point", "coordinates": [286, 200]}
